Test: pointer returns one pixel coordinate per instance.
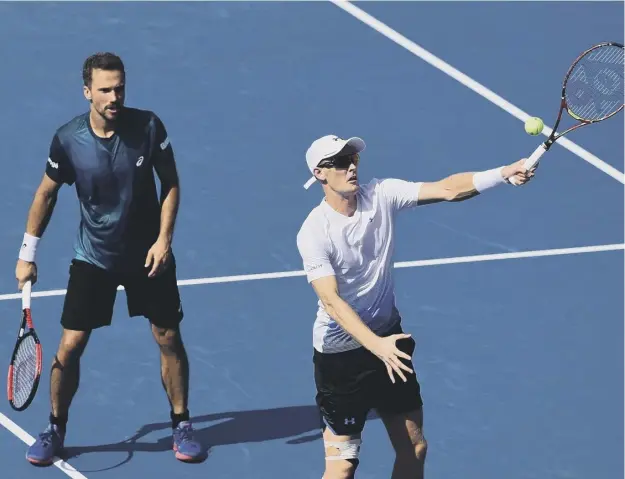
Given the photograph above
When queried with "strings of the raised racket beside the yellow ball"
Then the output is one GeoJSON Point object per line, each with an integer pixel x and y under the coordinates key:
{"type": "Point", "coordinates": [594, 89]}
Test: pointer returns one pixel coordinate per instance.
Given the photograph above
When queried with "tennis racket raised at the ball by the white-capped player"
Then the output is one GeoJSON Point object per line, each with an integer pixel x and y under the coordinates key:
{"type": "Point", "coordinates": [592, 91]}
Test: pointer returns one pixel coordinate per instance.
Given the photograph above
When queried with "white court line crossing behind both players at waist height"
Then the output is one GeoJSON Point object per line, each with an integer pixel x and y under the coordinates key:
{"type": "Point", "coordinates": [401, 264]}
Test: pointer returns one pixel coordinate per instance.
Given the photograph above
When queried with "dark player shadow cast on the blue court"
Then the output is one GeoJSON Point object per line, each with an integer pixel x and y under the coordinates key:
{"type": "Point", "coordinates": [229, 428]}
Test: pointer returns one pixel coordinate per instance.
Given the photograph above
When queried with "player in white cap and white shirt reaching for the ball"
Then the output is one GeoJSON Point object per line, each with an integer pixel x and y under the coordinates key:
{"type": "Point", "coordinates": [362, 358]}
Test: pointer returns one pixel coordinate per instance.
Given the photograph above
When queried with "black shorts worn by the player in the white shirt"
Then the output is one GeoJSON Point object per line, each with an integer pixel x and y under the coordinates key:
{"type": "Point", "coordinates": [351, 383]}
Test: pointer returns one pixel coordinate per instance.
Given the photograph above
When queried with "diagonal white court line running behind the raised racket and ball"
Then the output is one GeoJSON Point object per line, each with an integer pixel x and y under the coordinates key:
{"type": "Point", "coordinates": [472, 84]}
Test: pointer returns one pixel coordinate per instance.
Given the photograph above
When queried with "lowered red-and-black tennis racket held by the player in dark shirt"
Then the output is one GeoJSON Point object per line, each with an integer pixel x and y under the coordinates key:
{"type": "Point", "coordinates": [25, 366]}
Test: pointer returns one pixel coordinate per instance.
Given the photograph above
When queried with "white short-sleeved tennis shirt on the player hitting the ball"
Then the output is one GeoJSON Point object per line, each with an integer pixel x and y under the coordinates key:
{"type": "Point", "coordinates": [358, 251]}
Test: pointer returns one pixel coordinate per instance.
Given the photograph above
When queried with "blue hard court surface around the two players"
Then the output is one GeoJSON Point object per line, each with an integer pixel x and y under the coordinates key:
{"type": "Point", "coordinates": [520, 359]}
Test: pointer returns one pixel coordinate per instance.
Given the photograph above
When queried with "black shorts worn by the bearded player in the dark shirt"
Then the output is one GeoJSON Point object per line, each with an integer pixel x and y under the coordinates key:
{"type": "Point", "coordinates": [91, 293]}
